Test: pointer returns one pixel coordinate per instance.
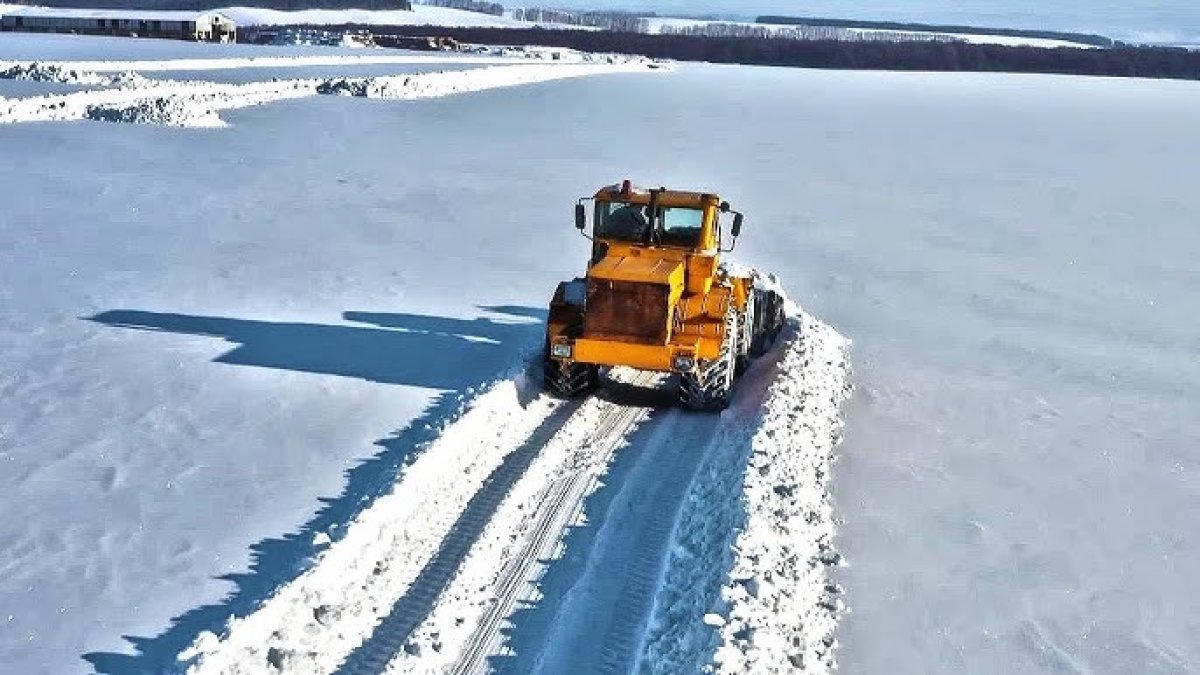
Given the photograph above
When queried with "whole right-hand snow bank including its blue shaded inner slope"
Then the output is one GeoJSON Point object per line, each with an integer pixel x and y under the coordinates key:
{"type": "Point", "coordinates": [747, 576]}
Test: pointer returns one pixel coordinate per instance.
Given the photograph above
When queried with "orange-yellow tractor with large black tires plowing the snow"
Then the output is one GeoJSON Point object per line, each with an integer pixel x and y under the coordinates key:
{"type": "Point", "coordinates": [657, 297]}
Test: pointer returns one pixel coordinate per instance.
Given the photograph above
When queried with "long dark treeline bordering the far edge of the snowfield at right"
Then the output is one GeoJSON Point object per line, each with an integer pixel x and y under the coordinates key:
{"type": "Point", "coordinates": [914, 56]}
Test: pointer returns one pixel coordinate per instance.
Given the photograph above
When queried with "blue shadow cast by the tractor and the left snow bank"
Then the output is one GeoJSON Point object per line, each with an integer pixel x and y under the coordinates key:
{"type": "Point", "coordinates": [442, 354]}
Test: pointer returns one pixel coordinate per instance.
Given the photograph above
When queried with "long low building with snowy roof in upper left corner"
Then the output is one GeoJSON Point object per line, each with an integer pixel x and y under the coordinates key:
{"type": "Point", "coordinates": [206, 27]}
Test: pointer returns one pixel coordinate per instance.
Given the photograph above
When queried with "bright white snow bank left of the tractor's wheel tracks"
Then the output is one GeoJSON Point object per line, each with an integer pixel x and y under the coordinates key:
{"type": "Point", "coordinates": [313, 624]}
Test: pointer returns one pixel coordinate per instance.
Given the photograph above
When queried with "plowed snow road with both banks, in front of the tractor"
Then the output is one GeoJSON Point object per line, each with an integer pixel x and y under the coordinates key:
{"type": "Point", "coordinates": [596, 536]}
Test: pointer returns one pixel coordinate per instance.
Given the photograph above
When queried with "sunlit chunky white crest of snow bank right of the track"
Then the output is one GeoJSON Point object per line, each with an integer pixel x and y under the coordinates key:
{"type": "Point", "coordinates": [782, 606]}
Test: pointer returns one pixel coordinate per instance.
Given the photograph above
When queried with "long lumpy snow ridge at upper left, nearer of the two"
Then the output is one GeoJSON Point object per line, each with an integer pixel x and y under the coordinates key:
{"type": "Point", "coordinates": [199, 104]}
